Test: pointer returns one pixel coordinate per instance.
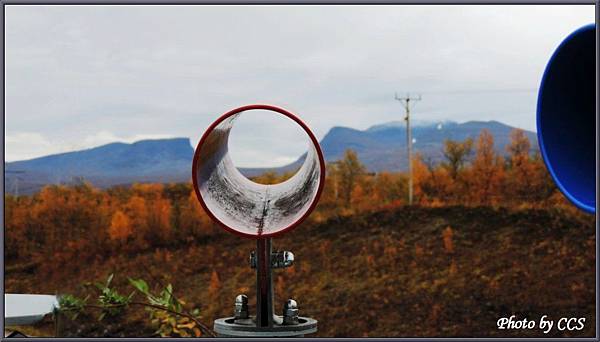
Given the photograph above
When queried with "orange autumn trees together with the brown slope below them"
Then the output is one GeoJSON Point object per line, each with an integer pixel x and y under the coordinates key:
{"type": "Point", "coordinates": [488, 235]}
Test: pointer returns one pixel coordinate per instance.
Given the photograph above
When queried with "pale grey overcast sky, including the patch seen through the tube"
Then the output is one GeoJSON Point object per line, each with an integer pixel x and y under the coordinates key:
{"type": "Point", "coordinates": [82, 76]}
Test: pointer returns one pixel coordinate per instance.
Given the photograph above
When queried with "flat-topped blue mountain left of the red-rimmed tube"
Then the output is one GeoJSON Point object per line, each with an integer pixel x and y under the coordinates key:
{"type": "Point", "coordinates": [164, 160]}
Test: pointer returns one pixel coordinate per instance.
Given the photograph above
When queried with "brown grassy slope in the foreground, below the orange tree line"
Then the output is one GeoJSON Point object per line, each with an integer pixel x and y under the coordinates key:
{"type": "Point", "coordinates": [400, 273]}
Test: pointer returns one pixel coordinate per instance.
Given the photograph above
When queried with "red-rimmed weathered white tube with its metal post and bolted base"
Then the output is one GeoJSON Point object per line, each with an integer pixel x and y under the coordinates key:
{"type": "Point", "coordinates": [234, 202]}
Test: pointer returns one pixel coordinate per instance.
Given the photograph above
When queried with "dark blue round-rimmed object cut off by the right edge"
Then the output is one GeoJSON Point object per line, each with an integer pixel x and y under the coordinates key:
{"type": "Point", "coordinates": [566, 117]}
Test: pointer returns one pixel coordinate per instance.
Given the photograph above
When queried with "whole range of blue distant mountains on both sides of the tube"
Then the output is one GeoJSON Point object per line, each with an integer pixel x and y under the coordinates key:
{"type": "Point", "coordinates": [381, 147]}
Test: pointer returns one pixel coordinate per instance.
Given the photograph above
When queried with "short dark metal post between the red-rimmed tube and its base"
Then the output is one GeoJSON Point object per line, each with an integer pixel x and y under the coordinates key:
{"type": "Point", "coordinates": [264, 284]}
